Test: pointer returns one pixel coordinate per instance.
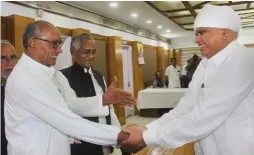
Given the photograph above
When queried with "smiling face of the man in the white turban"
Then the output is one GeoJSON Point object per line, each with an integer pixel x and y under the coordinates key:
{"type": "Point", "coordinates": [210, 40]}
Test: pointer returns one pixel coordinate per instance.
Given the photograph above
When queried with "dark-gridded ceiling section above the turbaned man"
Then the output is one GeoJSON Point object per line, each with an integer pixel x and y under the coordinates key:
{"type": "Point", "coordinates": [183, 13]}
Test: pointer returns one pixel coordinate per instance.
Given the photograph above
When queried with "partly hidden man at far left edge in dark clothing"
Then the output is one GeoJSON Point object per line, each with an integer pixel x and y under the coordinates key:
{"type": "Point", "coordinates": [8, 61]}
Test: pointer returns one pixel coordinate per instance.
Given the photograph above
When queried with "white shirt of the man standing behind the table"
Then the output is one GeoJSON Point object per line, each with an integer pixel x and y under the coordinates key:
{"type": "Point", "coordinates": [173, 76]}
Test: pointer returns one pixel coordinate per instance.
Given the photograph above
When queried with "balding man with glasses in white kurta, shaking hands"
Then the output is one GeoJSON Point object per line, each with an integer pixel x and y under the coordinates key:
{"type": "Point", "coordinates": [38, 120]}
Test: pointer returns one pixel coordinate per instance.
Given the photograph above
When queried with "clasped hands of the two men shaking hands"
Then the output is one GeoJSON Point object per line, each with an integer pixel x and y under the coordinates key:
{"type": "Point", "coordinates": [131, 138]}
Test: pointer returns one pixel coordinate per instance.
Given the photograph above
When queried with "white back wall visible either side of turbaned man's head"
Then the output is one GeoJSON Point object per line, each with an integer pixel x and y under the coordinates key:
{"type": "Point", "coordinates": [246, 36]}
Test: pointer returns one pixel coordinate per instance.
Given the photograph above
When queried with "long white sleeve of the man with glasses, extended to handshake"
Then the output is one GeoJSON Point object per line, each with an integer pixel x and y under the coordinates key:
{"type": "Point", "coordinates": [48, 105]}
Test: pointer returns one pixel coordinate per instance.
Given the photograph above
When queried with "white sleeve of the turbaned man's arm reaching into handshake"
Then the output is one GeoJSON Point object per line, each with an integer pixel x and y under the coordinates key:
{"type": "Point", "coordinates": [225, 96]}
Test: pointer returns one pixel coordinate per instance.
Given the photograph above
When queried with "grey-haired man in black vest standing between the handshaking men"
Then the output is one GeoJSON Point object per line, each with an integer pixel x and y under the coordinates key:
{"type": "Point", "coordinates": [87, 82]}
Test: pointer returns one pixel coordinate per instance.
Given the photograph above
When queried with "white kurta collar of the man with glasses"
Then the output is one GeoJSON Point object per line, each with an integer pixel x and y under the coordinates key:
{"type": "Point", "coordinates": [39, 68]}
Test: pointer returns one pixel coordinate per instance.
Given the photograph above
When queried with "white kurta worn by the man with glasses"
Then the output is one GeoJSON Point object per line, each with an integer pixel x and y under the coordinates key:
{"type": "Point", "coordinates": [38, 121]}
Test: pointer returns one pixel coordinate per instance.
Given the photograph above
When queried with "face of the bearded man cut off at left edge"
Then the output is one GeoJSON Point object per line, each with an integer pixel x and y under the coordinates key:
{"type": "Point", "coordinates": [8, 59]}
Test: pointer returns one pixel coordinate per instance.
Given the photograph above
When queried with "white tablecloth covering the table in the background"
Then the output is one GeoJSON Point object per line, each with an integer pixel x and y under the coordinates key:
{"type": "Point", "coordinates": [160, 97]}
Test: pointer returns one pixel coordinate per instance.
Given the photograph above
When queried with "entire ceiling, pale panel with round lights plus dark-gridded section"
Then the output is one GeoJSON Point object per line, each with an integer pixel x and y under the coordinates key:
{"type": "Point", "coordinates": [174, 16]}
